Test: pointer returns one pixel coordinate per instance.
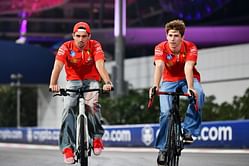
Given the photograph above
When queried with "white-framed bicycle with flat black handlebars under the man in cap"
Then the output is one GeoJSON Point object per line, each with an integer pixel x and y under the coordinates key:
{"type": "Point", "coordinates": [84, 145]}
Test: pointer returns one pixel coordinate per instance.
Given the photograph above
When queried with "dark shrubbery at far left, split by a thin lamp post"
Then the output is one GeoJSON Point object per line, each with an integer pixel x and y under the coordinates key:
{"type": "Point", "coordinates": [8, 113]}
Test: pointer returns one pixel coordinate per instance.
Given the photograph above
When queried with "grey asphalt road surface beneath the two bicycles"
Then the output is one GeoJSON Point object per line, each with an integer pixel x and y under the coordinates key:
{"type": "Point", "coordinates": [50, 156]}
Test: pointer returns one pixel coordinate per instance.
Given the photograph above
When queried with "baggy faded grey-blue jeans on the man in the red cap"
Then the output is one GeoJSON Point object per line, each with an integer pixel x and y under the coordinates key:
{"type": "Point", "coordinates": [68, 127]}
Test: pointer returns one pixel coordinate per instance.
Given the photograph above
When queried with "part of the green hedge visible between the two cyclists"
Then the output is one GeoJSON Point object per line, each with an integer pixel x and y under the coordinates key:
{"type": "Point", "coordinates": [129, 109]}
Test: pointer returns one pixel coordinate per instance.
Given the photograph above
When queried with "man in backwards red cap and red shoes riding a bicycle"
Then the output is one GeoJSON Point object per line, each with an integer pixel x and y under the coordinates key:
{"type": "Point", "coordinates": [83, 59]}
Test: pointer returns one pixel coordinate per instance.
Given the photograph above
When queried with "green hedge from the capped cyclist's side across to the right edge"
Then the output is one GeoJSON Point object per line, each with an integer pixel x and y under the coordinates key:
{"type": "Point", "coordinates": [131, 108]}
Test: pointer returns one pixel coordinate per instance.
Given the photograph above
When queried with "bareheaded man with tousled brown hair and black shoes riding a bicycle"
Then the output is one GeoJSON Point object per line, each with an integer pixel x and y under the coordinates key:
{"type": "Point", "coordinates": [175, 61]}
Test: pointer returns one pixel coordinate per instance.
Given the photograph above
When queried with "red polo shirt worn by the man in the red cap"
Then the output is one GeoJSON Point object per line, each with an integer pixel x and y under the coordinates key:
{"type": "Point", "coordinates": [80, 65]}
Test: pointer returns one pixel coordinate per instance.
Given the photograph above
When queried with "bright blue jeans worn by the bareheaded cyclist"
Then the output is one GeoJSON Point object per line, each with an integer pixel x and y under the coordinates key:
{"type": "Point", "coordinates": [192, 120]}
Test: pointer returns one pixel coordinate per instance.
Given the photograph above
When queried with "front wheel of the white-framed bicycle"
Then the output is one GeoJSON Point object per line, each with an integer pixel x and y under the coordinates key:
{"type": "Point", "coordinates": [83, 151]}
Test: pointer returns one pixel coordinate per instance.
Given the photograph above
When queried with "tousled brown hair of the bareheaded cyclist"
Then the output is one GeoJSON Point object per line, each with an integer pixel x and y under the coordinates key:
{"type": "Point", "coordinates": [176, 25]}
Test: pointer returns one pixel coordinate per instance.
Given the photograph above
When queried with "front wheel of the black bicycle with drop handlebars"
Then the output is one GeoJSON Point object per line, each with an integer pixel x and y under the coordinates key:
{"type": "Point", "coordinates": [171, 157]}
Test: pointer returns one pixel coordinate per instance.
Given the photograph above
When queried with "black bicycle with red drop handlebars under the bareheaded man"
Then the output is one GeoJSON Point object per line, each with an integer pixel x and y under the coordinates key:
{"type": "Point", "coordinates": [175, 142]}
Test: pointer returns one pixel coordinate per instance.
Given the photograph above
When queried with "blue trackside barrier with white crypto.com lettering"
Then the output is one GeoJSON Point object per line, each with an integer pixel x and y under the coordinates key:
{"type": "Point", "coordinates": [217, 134]}
